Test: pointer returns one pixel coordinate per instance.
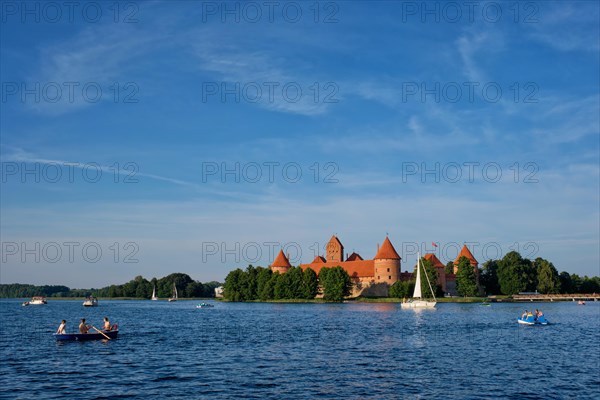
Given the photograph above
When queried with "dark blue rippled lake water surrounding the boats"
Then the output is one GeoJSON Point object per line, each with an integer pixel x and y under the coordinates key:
{"type": "Point", "coordinates": [286, 351]}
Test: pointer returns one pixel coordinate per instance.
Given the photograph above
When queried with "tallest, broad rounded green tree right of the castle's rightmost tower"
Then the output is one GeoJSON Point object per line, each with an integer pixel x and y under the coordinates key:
{"type": "Point", "coordinates": [516, 274]}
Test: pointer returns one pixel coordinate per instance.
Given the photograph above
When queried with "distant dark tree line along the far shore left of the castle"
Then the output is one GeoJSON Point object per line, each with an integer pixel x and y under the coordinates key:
{"type": "Point", "coordinates": [139, 287]}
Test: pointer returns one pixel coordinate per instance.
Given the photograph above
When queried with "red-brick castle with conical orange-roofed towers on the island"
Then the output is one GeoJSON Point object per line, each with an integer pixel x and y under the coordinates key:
{"type": "Point", "coordinates": [374, 277]}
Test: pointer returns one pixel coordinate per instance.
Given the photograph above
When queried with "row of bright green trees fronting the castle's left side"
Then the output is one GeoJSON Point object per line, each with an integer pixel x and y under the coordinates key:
{"type": "Point", "coordinates": [258, 283]}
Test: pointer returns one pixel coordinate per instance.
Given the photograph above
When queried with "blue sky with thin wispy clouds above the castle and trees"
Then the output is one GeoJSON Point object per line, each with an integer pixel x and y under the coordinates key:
{"type": "Point", "coordinates": [445, 124]}
